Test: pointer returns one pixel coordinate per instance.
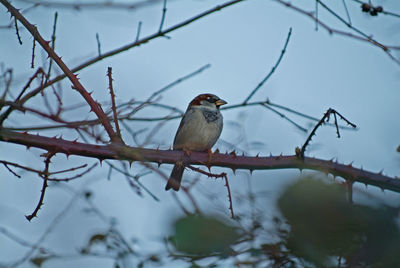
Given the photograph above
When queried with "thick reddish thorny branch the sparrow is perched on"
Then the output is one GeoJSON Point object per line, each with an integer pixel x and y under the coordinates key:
{"type": "Point", "coordinates": [231, 160]}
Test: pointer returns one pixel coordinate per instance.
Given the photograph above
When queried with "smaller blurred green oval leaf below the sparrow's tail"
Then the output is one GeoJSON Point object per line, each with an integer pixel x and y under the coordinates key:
{"type": "Point", "coordinates": [203, 235]}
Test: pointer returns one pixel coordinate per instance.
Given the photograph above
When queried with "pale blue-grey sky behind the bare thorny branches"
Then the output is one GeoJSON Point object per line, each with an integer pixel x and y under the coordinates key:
{"type": "Point", "coordinates": [242, 43]}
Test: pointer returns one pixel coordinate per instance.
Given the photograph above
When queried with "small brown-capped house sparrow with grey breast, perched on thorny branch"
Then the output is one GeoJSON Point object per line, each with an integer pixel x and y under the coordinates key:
{"type": "Point", "coordinates": [199, 130]}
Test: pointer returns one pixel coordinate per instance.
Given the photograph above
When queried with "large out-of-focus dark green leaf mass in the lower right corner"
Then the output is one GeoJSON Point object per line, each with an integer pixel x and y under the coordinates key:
{"type": "Point", "coordinates": [324, 225]}
